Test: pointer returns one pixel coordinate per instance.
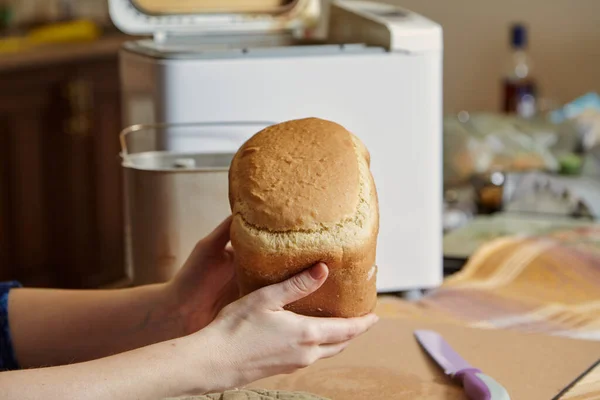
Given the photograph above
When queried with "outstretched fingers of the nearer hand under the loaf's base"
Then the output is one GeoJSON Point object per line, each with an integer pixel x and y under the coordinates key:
{"type": "Point", "coordinates": [336, 330]}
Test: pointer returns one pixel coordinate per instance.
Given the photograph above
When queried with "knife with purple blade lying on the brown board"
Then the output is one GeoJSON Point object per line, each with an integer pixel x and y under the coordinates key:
{"type": "Point", "coordinates": [475, 383]}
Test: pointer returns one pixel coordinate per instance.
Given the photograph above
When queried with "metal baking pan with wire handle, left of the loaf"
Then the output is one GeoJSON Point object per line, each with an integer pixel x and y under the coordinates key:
{"type": "Point", "coordinates": [176, 190]}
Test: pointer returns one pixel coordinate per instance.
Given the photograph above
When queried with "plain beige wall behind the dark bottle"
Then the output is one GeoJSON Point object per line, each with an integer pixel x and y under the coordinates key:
{"type": "Point", "coordinates": [562, 41]}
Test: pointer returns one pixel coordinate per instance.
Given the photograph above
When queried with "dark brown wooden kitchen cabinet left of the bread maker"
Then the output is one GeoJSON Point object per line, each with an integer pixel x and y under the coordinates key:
{"type": "Point", "coordinates": [61, 209]}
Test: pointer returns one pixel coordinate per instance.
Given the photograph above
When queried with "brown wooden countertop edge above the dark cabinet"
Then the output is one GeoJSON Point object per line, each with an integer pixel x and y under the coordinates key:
{"type": "Point", "coordinates": [49, 55]}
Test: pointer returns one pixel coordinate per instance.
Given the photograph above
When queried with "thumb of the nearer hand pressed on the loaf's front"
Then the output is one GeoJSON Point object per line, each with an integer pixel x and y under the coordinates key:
{"type": "Point", "coordinates": [297, 287]}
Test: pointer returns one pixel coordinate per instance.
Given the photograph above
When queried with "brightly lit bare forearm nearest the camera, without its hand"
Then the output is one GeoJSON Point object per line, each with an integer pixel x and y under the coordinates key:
{"type": "Point", "coordinates": [154, 372]}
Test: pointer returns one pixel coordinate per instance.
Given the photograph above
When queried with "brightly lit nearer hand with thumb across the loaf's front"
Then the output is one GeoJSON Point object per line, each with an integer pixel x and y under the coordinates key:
{"type": "Point", "coordinates": [255, 337]}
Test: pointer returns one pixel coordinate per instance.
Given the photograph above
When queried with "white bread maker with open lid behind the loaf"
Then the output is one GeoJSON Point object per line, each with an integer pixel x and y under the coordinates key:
{"type": "Point", "coordinates": [374, 68]}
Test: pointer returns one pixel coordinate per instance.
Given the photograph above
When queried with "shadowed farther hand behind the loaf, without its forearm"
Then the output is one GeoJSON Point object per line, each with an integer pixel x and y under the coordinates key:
{"type": "Point", "coordinates": [206, 282]}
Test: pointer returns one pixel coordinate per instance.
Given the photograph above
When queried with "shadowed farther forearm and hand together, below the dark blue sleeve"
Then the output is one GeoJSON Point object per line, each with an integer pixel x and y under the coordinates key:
{"type": "Point", "coordinates": [83, 325]}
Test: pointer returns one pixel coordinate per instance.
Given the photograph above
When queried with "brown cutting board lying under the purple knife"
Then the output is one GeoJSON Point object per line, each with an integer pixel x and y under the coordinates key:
{"type": "Point", "coordinates": [387, 363]}
